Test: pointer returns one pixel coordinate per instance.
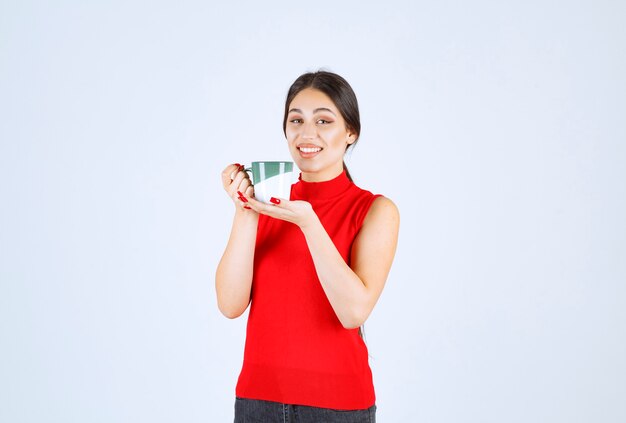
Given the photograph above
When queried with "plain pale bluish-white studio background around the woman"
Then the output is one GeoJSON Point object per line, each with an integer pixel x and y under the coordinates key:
{"type": "Point", "coordinates": [497, 127]}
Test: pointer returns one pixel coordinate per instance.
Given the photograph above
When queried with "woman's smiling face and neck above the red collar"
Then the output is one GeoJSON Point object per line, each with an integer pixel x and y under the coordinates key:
{"type": "Point", "coordinates": [317, 135]}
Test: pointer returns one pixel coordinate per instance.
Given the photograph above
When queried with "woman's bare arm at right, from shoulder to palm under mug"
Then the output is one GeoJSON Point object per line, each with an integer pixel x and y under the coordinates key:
{"type": "Point", "coordinates": [351, 291]}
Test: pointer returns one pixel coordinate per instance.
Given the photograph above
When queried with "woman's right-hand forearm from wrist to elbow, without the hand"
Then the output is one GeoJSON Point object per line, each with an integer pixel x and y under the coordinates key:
{"type": "Point", "coordinates": [344, 289]}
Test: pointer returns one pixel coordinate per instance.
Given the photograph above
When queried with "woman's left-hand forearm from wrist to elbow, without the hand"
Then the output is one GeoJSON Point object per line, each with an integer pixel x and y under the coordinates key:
{"type": "Point", "coordinates": [233, 278]}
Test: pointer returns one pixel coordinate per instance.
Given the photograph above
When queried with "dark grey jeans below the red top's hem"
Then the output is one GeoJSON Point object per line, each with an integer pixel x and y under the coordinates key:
{"type": "Point", "coordinates": [257, 411]}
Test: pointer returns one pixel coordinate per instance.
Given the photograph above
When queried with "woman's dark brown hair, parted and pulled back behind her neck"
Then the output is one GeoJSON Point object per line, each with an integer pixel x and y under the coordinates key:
{"type": "Point", "coordinates": [339, 91]}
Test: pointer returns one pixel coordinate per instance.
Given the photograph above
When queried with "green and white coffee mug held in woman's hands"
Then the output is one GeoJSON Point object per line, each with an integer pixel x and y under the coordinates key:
{"type": "Point", "coordinates": [271, 179]}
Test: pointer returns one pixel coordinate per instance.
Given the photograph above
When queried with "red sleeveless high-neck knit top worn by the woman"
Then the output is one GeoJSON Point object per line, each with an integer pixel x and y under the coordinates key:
{"type": "Point", "coordinates": [297, 351]}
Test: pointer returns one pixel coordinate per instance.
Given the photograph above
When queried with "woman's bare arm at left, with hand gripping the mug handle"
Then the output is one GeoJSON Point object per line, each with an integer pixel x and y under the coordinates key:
{"type": "Point", "coordinates": [233, 277]}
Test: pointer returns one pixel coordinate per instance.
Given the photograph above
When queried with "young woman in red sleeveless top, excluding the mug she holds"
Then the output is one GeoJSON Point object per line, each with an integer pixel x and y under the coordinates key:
{"type": "Point", "coordinates": [312, 267]}
